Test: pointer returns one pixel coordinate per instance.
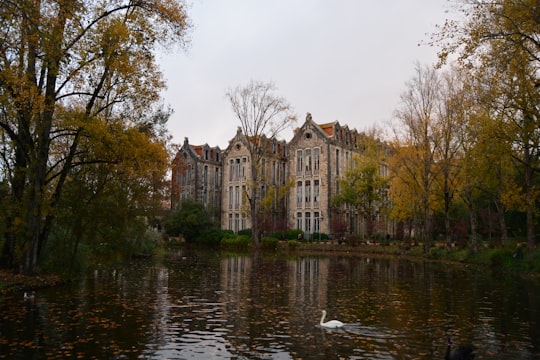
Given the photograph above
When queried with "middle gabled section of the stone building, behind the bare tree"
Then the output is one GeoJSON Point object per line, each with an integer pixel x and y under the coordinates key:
{"type": "Point", "coordinates": [237, 168]}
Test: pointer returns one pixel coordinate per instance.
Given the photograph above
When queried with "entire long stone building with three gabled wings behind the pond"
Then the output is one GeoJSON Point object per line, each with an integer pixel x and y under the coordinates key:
{"type": "Point", "coordinates": [297, 180]}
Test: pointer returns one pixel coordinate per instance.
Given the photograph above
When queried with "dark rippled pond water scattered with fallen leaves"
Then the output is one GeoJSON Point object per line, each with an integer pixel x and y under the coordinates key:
{"type": "Point", "coordinates": [206, 305]}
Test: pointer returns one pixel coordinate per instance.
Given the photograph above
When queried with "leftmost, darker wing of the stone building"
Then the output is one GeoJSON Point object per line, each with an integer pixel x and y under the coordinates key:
{"type": "Point", "coordinates": [196, 174]}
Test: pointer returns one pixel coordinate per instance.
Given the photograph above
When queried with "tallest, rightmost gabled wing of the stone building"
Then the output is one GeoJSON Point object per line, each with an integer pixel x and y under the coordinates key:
{"type": "Point", "coordinates": [318, 156]}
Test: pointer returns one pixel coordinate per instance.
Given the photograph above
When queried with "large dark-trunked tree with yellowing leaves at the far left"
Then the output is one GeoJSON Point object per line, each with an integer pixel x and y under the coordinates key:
{"type": "Point", "coordinates": [68, 68]}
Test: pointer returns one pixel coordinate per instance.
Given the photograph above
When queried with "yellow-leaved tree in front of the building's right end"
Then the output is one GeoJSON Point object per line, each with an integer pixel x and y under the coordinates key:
{"type": "Point", "coordinates": [363, 185]}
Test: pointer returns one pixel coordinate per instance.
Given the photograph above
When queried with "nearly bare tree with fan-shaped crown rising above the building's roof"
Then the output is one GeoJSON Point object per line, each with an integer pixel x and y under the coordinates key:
{"type": "Point", "coordinates": [262, 114]}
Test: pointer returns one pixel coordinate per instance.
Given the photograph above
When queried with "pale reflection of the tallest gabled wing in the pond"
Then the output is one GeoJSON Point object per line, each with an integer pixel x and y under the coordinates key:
{"type": "Point", "coordinates": [308, 280]}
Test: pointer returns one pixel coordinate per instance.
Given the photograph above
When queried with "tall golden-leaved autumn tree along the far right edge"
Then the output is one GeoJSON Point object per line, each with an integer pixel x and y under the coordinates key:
{"type": "Point", "coordinates": [501, 38]}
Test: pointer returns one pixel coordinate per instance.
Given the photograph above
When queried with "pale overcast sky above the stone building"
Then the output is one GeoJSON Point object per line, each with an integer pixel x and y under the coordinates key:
{"type": "Point", "coordinates": [345, 60]}
